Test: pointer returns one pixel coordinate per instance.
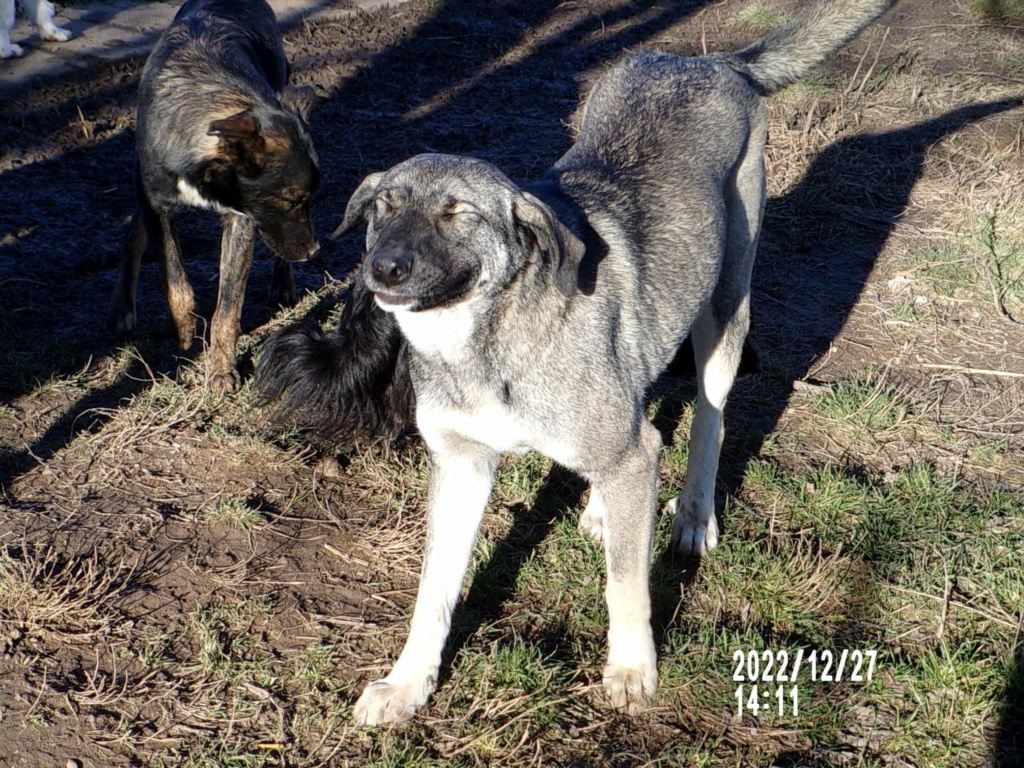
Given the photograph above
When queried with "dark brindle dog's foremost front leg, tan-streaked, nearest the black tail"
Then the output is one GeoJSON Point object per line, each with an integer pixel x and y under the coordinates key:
{"type": "Point", "coordinates": [237, 243]}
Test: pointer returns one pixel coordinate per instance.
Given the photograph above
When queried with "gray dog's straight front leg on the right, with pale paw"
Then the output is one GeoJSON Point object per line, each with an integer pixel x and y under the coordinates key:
{"type": "Point", "coordinates": [628, 494]}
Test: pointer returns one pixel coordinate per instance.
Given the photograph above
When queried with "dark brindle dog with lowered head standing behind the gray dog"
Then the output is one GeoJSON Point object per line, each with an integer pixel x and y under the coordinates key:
{"type": "Point", "coordinates": [219, 129]}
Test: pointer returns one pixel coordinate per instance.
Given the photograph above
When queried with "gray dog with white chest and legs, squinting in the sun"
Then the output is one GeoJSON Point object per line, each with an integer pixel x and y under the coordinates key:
{"type": "Point", "coordinates": [537, 318]}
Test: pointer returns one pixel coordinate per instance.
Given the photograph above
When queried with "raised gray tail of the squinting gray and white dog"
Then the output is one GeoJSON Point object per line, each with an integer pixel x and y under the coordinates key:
{"type": "Point", "coordinates": [795, 51]}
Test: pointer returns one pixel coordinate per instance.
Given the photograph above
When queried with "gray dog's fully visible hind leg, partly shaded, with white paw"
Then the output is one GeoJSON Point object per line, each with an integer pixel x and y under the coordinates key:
{"type": "Point", "coordinates": [718, 338]}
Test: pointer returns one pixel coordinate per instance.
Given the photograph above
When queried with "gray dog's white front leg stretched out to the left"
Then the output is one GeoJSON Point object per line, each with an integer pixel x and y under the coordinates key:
{"type": "Point", "coordinates": [460, 484]}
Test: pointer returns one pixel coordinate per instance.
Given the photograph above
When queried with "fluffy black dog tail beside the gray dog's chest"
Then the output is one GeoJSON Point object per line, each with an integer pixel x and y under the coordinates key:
{"type": "Point", "coordinates": [351, 385]}
